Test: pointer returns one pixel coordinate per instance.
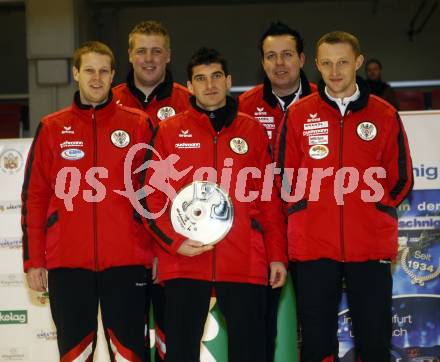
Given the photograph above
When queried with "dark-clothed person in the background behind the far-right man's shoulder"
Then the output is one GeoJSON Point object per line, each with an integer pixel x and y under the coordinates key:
{"type": "Point", "coordinates": [373, 70]}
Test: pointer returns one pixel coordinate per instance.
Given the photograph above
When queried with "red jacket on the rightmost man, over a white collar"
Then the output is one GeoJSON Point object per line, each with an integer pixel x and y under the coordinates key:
{"type": "Point", "coordinates": [316, 136]}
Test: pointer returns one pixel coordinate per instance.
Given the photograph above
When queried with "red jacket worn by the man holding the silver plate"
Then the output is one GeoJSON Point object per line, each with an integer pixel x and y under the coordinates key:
{"type": "Point", "coordinates": [240, 256]}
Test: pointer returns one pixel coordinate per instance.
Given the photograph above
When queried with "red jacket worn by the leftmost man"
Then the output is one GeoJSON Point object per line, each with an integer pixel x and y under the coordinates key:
{"type": "Point", "coordinates": [95, 235]}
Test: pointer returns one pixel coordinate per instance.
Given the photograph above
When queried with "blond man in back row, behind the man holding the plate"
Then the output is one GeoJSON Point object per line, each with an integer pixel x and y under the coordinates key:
{"type": "Point", "coordinates": [150, 88]}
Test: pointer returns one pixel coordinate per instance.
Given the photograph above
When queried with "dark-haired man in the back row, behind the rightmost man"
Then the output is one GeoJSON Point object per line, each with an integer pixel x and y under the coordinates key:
{"type": "Point", "coordinates": [282, 58]}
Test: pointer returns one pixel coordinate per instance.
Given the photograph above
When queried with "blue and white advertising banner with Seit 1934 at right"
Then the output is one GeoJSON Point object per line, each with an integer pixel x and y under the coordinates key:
{"type": "Point", "coordinates": [416, 282]}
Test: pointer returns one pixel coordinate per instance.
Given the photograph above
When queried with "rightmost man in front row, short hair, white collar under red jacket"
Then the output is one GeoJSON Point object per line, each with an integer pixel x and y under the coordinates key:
{"type": "Point", "coordinates": [342, 220]}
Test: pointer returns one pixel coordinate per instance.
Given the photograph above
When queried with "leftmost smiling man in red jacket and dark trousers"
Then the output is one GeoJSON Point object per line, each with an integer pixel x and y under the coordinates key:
{"type": "Point", "coordinates": [78, 226]}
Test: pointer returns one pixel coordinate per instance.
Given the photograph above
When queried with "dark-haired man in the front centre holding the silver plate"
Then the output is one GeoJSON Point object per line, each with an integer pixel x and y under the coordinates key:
{"type": "Point", "coordinates": [208, 136]}
